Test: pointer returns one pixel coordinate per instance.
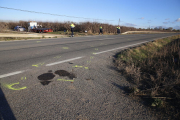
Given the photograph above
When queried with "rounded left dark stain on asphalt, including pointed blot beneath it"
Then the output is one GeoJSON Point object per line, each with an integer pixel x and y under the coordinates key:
{"type": "Point", "coordinates": [45, 78]}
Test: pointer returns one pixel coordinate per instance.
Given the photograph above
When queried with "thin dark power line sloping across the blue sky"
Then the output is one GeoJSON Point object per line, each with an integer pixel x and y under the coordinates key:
{"type": "Point", "coordinates": [50, 13]}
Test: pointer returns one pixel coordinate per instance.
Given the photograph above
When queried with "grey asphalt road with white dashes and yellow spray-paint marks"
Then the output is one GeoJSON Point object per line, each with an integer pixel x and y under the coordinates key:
{"type": "Point", "coordinates": [68, 78]}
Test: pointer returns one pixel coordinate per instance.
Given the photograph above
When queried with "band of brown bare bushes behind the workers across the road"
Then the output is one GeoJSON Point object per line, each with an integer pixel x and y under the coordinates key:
{"type": "Point", "coordinates": [91, 27]}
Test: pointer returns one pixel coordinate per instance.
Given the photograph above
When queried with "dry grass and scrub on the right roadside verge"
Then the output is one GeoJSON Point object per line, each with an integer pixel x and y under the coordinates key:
{"type": "Point", "coordinates": [154, 71]}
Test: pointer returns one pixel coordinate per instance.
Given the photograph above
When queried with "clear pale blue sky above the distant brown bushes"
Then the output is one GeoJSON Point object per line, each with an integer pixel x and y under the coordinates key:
{"type": "Point", "coordinates": [132, 13]}
